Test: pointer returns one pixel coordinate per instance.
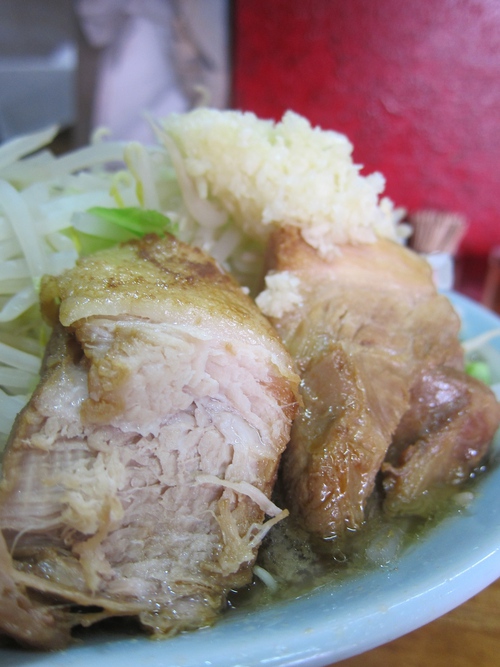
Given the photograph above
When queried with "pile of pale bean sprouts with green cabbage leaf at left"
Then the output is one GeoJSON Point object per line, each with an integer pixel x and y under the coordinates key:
{"type": "Point", "coordinates": [55, 209]}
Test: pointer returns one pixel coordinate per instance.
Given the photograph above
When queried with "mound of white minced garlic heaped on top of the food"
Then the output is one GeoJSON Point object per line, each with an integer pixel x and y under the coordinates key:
{"type": "Point", "coordinates": [264, 174]}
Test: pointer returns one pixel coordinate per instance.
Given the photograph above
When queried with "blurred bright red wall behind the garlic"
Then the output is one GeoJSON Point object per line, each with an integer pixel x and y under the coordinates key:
{"type": "Point", "coordinates": [415, 86]}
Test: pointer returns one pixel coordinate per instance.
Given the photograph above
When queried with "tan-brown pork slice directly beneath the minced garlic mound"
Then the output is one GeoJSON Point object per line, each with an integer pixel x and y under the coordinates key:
{"type": "Point", "coordinates": [369, 324]}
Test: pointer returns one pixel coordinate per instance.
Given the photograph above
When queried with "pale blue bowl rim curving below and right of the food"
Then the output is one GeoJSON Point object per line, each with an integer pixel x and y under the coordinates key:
{"type": "Point", "coordinates": [454, 561]}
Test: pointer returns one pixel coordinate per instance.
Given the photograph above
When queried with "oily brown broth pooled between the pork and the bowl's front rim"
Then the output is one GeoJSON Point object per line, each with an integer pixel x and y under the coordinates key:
{"type": "Point", "coordinates": [299, 564]}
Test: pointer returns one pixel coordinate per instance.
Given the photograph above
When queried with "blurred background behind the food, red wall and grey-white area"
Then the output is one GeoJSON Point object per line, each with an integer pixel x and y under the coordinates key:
{"type": "Point", "coordinates": [414, 85]}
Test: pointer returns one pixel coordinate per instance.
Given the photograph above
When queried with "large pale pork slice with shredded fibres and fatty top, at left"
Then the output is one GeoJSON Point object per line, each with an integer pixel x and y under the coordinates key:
{"type": "Point", "coordinates": [137, 479]}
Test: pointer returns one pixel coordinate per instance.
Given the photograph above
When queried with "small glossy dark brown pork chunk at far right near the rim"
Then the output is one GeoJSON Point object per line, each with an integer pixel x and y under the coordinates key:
{"type": "Point", "coordinates": [444, 435]}
